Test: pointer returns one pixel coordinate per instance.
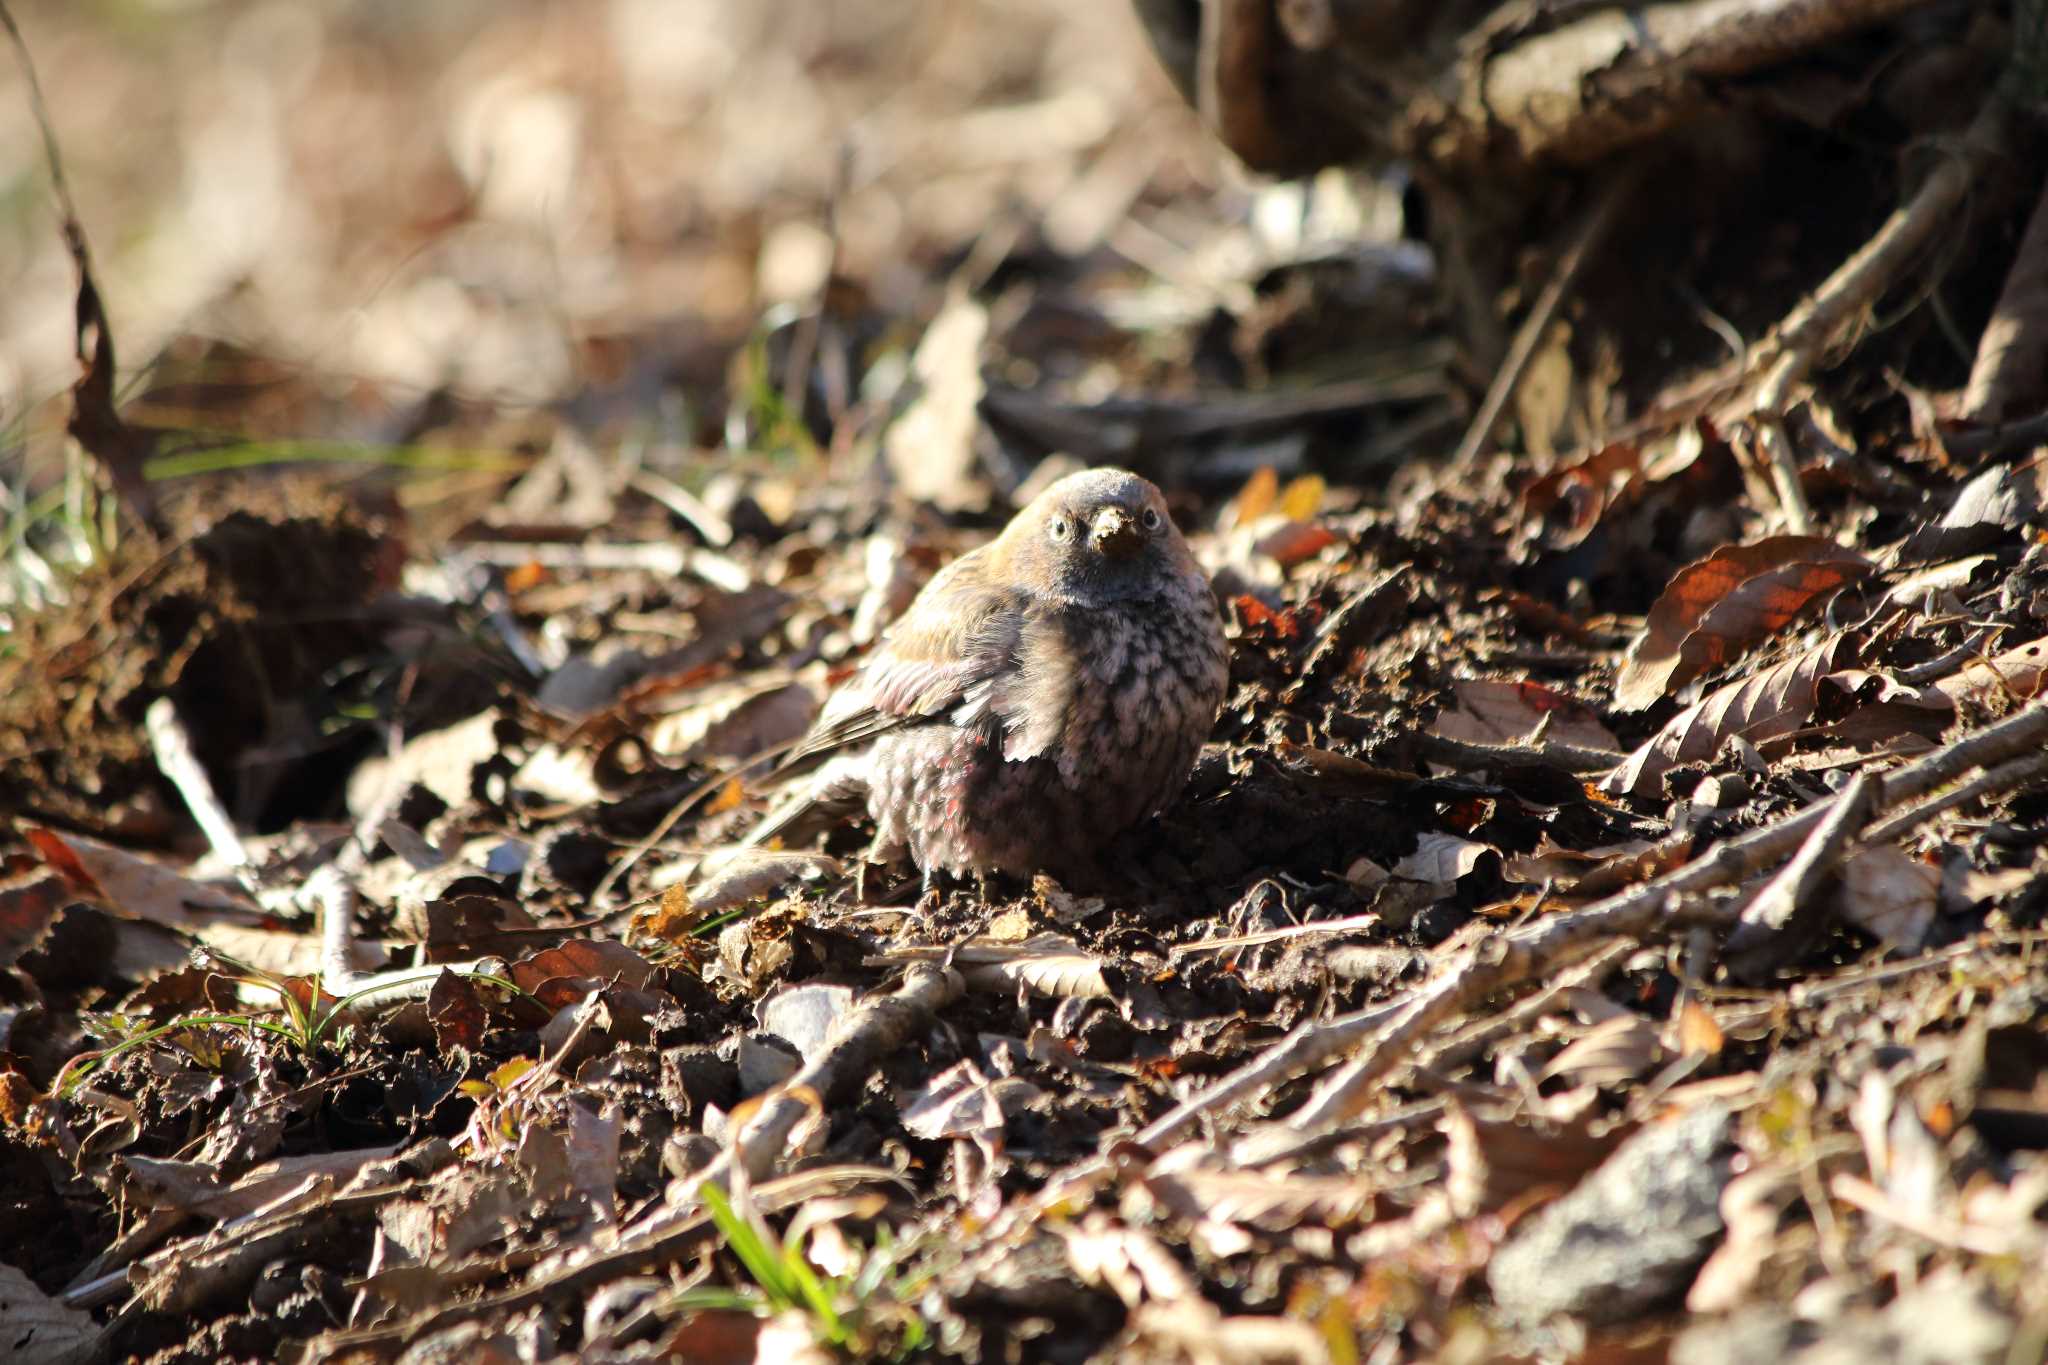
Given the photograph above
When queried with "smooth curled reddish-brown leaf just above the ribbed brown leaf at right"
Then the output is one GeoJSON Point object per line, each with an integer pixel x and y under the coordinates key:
{"type": "Point", "coordinates": [1719, 607]}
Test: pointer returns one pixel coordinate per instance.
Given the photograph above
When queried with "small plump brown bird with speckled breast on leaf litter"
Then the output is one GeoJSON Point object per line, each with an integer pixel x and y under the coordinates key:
{"type": "Point", "coordinates": [1041, 697]}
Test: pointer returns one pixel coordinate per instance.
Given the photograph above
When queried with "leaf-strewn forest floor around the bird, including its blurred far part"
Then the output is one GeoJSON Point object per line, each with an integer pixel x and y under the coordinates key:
{"type": "Point", "coordinates": [1603, 926]}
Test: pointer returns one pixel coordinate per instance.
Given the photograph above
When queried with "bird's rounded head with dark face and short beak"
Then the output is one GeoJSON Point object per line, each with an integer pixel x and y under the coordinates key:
{"type": "Point", "coordinates": [1097, 537]}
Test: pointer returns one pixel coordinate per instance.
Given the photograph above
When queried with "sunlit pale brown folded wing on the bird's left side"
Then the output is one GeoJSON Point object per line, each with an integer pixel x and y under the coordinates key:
{"type": "Point", "coordinates": [957, 635]}
